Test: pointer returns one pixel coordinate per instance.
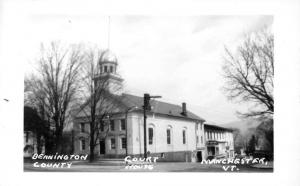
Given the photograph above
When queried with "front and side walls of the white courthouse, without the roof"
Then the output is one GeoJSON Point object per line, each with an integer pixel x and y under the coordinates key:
{"type": "Point", "coordinates": [175, 151]}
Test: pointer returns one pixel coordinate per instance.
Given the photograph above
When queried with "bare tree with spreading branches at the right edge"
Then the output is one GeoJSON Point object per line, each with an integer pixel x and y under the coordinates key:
{"type": "Point", "coordinates": [249, 73]}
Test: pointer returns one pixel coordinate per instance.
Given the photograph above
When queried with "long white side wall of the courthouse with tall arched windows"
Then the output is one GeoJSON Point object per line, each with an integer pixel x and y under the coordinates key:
{"type": "Point", "coordinates": [160, 126]}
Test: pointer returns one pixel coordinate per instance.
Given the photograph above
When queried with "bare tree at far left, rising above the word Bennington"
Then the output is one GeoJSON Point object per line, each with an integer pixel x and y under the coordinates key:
{"type": "Point", "coordinates": [53, 87]}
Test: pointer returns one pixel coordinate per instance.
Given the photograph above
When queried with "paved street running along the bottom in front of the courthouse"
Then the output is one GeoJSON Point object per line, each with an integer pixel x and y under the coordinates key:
{"type": "Point", "coordinates": [115, 166]}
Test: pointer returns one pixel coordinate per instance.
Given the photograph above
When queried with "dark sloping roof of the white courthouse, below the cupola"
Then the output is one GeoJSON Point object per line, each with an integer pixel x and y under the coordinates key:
{"type": "Point", "coordinates": [158, 107]}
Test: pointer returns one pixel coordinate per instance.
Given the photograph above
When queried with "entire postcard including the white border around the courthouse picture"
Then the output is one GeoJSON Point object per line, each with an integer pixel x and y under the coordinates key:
{"type": "Point", "coordinates": [138, 93]}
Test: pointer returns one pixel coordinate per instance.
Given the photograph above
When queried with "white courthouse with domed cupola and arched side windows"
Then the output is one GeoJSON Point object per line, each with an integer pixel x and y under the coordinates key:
{"type": "Point", "coordinates": [173, 133]}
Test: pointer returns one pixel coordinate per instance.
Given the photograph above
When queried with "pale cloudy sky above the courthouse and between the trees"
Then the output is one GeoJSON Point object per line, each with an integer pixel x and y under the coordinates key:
{"type": "Point", "coordinates": [177, 57]}
